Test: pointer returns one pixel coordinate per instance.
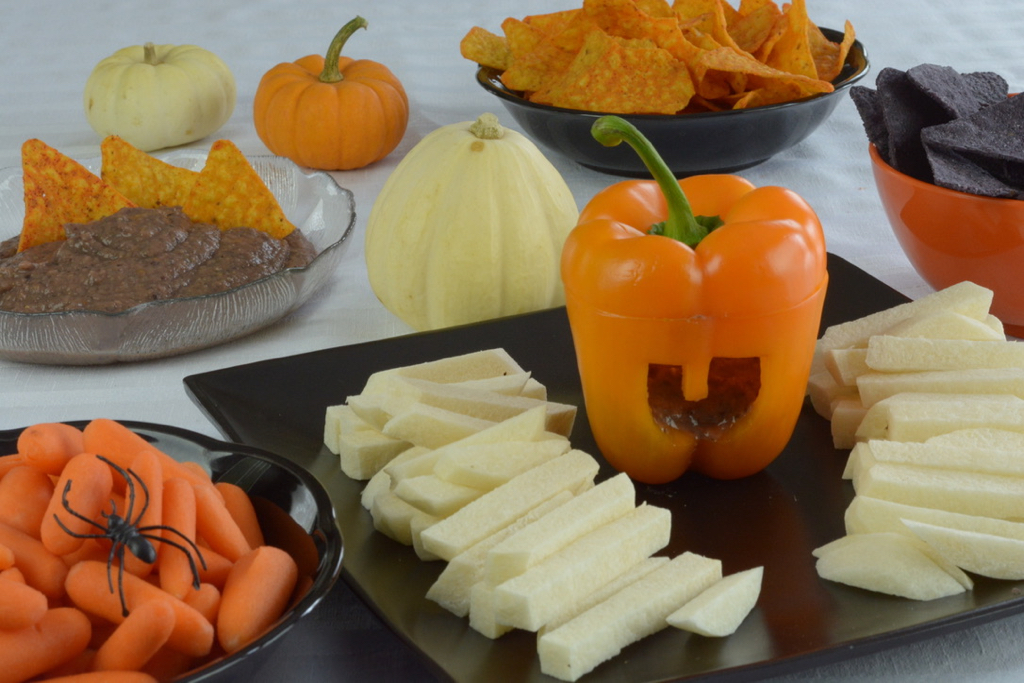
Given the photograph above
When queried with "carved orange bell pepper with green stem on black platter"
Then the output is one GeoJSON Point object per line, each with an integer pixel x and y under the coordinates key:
{"type": "Point", "coordinates": [694, 334]}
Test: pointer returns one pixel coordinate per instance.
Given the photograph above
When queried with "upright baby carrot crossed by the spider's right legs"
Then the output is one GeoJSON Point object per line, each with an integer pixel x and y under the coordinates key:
{"type": "Point", "coordinates": [180, 514]}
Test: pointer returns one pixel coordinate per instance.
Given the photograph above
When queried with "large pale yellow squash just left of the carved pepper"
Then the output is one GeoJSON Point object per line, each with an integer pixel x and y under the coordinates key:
{"type": "Point", "coordinates": [470, 228]}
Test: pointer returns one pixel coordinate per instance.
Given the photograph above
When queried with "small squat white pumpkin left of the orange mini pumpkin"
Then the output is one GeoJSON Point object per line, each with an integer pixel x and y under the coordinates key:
{"type": "Point", "coordinates": [158, 97]}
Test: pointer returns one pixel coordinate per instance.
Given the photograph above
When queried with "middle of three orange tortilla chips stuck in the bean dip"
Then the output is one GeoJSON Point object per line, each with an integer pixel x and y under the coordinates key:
{"type": "Point", "coordinates": [146, 181]}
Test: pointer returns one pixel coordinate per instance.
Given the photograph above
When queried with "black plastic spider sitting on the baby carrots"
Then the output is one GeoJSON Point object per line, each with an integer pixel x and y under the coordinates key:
{"type": "Point", "coordinates": [125, 533]}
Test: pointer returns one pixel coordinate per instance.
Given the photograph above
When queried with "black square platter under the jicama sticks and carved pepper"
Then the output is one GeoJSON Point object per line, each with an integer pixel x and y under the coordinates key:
{"type": "Point", "coordinates": [774, 520]}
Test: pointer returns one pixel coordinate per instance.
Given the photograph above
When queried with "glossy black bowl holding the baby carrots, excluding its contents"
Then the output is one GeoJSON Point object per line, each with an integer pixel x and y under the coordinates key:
{"type": "Point", "coordinates": [295, 514]}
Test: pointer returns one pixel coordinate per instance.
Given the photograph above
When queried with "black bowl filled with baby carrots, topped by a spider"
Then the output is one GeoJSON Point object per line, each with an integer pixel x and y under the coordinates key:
{"type": "Point", "coordinates": [152, 549]}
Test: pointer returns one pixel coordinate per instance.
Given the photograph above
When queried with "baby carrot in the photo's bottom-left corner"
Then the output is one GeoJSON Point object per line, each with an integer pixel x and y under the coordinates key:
{"type": "Point", "coordinates": [60, 636]}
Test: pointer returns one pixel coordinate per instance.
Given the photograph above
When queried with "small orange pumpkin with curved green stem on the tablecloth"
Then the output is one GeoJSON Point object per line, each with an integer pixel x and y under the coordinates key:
{"type": "Point", "coordinates": [331, 113]}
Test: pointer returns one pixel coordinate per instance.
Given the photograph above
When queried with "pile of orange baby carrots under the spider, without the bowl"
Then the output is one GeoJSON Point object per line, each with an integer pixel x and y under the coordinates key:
{"type": "Point", "coordinates": [60, 618]}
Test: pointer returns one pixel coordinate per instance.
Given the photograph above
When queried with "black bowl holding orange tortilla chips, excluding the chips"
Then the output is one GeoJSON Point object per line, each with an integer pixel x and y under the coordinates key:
{"type": "Point", "coordinates": [692, 144]}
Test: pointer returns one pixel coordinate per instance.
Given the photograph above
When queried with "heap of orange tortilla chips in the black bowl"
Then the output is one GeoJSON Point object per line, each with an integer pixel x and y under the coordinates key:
{"type": "Point", "coordinates": [594, 59]}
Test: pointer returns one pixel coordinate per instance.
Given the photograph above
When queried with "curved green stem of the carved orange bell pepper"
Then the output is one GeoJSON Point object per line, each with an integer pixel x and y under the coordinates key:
{"type": "Point", "coordinates": [681, 225]}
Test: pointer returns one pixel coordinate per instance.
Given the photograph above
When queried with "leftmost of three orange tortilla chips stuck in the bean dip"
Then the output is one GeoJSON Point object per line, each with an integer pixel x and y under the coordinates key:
{"type": "Point", "coordinates": [60, 191]}
